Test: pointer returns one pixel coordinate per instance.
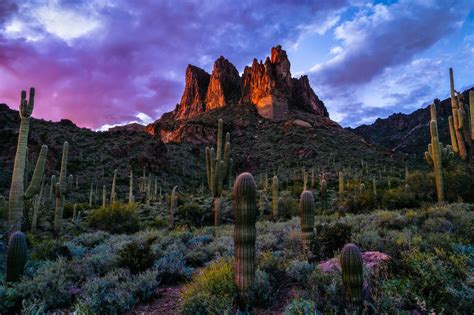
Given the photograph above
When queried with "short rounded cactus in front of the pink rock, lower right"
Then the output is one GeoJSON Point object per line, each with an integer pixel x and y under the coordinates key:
{"type": "Point", "coordinates": [352, 273]}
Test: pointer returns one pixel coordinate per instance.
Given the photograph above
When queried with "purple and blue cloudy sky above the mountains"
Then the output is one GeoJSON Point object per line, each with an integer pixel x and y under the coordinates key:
{"type": "Point", "coordinates": [102, 63]}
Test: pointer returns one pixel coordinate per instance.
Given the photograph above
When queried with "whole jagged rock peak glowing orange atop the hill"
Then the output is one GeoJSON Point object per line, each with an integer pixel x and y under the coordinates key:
{"type": "Point", "coordinates": [266, 85]}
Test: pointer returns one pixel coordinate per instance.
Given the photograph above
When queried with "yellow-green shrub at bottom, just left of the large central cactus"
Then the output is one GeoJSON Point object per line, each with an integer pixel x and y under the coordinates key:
{"type": "Point", "coordinates": [211, 291]}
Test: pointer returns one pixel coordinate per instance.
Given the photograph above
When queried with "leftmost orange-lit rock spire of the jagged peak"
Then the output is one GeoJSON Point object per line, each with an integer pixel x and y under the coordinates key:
{"type": "Point", "coordinates": [193, 101]}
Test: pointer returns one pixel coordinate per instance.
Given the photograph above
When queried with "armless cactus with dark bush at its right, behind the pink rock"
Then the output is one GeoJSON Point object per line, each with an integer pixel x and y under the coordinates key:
{"type": "Point", "coordinates": [307, 220]}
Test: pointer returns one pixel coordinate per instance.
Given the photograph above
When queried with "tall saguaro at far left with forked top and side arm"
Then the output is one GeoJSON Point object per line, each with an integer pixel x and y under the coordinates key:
{"type": "Point", "coordinates": [17, 188]}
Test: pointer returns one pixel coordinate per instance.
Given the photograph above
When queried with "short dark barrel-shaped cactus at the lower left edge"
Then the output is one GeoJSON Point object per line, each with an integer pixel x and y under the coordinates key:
{"type": "Point", "coordinates": [16, 256]}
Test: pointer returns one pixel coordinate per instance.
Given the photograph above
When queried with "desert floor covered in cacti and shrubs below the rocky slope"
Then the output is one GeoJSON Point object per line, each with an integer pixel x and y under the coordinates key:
{"type": "Point", "coordinates": [294, 237]}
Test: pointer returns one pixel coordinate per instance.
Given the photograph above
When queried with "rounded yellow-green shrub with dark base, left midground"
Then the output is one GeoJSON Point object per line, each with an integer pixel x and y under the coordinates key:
{"type": "Point", "coordinates": [117, 218]}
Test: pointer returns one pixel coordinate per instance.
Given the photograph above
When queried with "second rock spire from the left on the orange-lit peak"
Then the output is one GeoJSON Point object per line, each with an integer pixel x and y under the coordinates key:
{"type": "Point", "coordinates": [224, 85]}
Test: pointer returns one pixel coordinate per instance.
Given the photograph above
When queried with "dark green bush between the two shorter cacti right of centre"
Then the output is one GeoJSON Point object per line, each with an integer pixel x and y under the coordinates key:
{"type": "Point", "coordinates": [330, 238]}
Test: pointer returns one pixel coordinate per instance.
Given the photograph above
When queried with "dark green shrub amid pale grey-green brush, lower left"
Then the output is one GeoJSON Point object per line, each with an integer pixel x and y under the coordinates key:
{"type": "Point", "coordinates": [137, 255]}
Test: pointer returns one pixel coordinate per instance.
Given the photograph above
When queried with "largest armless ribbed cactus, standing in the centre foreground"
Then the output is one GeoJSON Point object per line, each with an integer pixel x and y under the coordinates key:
{"type": "Point", "coordinates": [245, 213]}
